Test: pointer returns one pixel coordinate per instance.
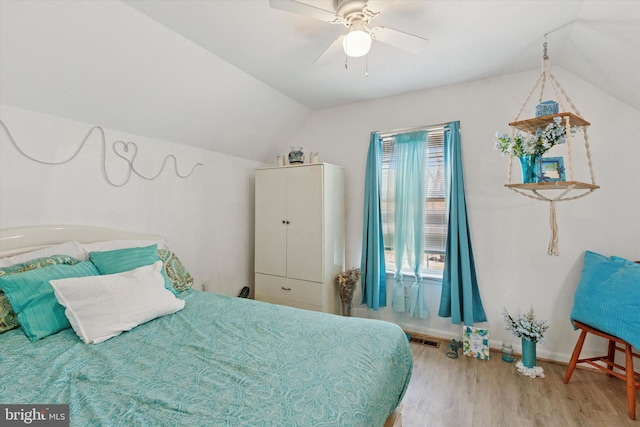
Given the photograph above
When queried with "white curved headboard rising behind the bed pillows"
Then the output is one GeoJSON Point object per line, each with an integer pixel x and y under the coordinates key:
{"type": "Point", "coordinates": [24, 239]}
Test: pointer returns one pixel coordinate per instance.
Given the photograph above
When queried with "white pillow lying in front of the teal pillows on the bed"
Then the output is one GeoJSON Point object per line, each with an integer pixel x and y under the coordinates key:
{"type": "Point", "coordinates": [102, 307]}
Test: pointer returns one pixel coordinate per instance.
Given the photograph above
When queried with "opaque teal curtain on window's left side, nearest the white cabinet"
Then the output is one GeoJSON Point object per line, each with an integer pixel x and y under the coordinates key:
{"type": "Point", "coordinates": [372, 267]}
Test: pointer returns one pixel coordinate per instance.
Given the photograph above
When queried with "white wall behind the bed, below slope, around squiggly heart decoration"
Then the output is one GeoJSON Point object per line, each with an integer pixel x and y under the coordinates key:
{"type": "Point", "coordinates": [206, 218]}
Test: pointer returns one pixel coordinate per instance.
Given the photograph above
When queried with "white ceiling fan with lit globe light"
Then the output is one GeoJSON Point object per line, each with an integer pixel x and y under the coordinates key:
{"type": "Point", "coordinates": [356, 16]}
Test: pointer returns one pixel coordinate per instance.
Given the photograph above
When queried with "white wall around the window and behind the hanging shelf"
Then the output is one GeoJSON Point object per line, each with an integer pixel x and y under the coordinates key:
{"type": "Point", "coordinates": [510, 233]}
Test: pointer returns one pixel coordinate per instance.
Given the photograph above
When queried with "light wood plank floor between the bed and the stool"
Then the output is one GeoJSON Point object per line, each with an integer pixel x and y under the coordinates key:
{"type": "Point", "coordinates": [465, 392]}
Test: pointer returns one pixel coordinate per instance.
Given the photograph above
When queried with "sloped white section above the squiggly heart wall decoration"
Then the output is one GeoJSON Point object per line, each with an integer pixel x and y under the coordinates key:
{"type": "Point", "coordinates": [105, 62]}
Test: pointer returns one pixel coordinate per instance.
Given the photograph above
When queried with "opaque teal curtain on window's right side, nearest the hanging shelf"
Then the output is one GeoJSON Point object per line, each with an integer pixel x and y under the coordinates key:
{"type": "Point", "coordinates": [460, 298]}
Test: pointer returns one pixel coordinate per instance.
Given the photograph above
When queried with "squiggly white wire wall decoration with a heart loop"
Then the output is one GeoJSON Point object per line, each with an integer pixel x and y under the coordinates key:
{"type": "Point", "coordinates": [103, 142]}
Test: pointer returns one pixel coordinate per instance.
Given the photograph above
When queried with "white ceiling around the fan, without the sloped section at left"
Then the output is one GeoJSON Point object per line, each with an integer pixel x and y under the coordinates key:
{"type": "Point", "coordinates": [598, 41]}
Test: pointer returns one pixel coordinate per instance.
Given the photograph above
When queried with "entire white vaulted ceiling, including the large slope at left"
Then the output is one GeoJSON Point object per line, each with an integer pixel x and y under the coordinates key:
{"type": "Point", "coordinates": [236, 76]}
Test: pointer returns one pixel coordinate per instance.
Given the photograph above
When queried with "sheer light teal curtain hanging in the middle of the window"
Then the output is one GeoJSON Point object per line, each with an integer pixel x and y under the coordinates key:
{"type": "Point", "coordinates": [410, 154]}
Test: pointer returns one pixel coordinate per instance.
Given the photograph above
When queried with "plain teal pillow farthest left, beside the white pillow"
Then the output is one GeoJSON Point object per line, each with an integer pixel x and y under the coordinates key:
{"type": "Point", "coordinates": [32, 298]}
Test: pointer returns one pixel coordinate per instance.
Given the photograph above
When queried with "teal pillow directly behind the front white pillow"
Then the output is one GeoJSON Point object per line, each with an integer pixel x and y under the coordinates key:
{"type": "Point", "coordinates": [121, 260]}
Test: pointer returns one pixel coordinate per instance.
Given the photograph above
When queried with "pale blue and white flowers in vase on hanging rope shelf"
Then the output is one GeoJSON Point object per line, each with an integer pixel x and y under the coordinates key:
{"type": "Point", "coordinates": [526, 144]}
